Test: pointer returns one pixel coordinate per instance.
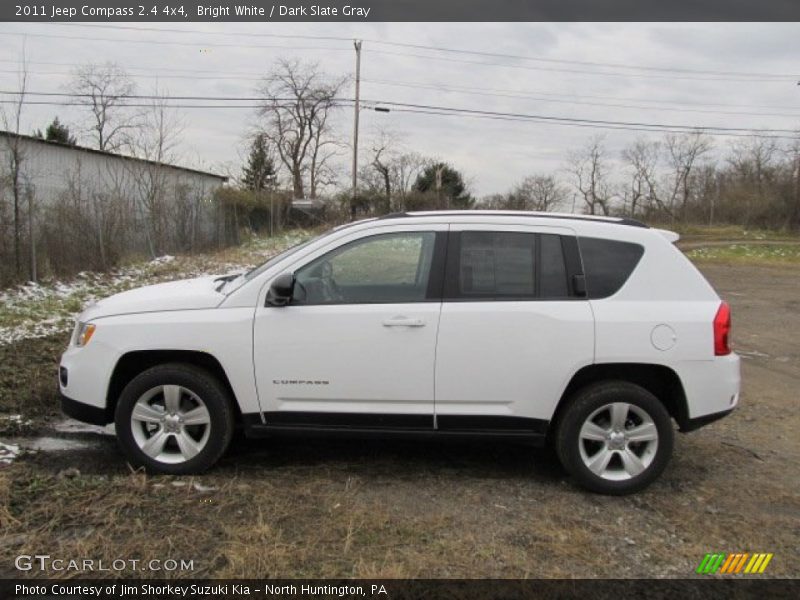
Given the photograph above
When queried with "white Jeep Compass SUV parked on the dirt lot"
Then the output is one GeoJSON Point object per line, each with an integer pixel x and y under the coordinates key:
{"type": "Point", "coordinates": [591, 334]}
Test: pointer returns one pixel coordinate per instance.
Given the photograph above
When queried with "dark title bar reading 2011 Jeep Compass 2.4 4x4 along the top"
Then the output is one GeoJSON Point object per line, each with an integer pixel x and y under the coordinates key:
{"type": "Point", "coordinates": [400, 10]}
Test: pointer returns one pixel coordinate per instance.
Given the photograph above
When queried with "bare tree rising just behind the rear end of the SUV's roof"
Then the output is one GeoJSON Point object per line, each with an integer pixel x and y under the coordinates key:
{"type": "Point", "coordinates": [589, 169]}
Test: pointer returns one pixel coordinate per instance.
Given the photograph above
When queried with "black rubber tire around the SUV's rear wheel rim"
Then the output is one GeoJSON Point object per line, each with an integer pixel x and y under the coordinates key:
{"type": "Point", "coordinates": [592, 398]}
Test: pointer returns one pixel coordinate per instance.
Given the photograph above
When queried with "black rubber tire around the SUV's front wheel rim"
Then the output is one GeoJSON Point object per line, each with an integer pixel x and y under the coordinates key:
{"type": "Point", "coordinates": [200, 382]}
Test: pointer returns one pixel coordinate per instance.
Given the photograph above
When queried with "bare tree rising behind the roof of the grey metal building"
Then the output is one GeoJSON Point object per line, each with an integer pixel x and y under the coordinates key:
{"type": "Point", "coordinates": [104, 89]}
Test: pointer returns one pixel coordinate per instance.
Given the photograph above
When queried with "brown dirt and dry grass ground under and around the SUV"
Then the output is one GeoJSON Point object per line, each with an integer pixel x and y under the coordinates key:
{"type": "Point", "coordinates": [390, 509]}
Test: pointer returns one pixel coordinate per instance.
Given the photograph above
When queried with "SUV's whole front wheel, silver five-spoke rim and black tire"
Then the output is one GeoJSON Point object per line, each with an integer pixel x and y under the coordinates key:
{"type": "Point", "coordinates": [174, 418]}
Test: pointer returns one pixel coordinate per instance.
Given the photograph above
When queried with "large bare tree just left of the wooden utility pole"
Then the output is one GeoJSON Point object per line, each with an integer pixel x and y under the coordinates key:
{"type": "Point", "coordinates": [295, 109]}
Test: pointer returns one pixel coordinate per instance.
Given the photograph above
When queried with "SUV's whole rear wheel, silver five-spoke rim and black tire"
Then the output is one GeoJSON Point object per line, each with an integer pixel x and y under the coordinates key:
{"type": "Point", "coordinates": [615, 437]}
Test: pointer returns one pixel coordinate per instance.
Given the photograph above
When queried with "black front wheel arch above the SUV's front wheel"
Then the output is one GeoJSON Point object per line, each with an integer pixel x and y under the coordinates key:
{"type": "Point", "coordinates": [135, 362]}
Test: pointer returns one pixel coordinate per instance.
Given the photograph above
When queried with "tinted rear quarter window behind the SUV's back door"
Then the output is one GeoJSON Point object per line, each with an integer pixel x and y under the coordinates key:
{"type": "Point", "coordinates": [607, 264]}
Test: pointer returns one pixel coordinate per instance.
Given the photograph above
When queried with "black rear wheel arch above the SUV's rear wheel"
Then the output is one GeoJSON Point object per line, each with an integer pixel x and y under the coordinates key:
{"type": "Point", "coordinates": [660, 380]}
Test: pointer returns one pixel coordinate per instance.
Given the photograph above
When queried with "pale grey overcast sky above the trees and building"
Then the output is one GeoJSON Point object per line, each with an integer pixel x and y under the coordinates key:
{"type": "Point", "coordinates": [751, 82]}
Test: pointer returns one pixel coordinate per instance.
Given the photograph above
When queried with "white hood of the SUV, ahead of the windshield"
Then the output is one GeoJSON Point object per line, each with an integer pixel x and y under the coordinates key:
{"type": "Point", "coordinates": [176, 295]}
